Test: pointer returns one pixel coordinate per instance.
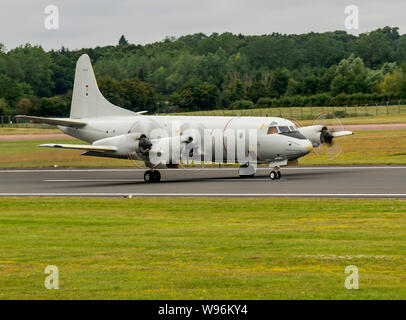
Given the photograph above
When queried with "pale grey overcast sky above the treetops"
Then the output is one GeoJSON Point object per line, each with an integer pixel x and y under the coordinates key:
{"type": "Point", "coordinates": [90, 23]}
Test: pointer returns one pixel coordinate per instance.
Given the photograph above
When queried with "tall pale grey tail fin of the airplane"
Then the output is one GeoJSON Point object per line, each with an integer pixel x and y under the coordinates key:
{"type": "Point", "coordinates": [87, 100]}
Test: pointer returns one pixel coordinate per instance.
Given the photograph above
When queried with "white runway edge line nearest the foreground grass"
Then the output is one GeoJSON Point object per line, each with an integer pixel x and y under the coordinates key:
{"type": "Point", "coordinates": [339, 195]}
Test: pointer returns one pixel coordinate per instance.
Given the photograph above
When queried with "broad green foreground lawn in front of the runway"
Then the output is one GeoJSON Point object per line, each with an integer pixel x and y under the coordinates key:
{"type": "Point", "coordinates": [169, 248]}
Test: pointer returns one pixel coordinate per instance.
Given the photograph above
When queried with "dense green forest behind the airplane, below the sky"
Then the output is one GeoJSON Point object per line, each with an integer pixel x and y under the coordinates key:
{"type": "Point", "coordinates": [217, 71]}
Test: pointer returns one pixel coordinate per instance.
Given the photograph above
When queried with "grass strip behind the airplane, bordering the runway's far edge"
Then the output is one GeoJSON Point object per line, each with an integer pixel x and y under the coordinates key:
{"type": "Point", "coordinates": [365, 147]}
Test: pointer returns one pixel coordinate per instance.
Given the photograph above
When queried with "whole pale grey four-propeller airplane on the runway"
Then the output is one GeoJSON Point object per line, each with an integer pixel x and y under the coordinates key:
{"type": "Point", "coordinates": [162, 141]}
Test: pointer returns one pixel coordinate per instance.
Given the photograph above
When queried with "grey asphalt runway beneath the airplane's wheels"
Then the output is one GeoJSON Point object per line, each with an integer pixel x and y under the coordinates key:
{"type": "Point", "coordinates": [331, 181]}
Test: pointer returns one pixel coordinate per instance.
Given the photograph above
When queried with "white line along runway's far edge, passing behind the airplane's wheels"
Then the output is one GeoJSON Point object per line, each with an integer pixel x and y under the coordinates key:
{"type": "Point", "coordinates": [197, 169]}
